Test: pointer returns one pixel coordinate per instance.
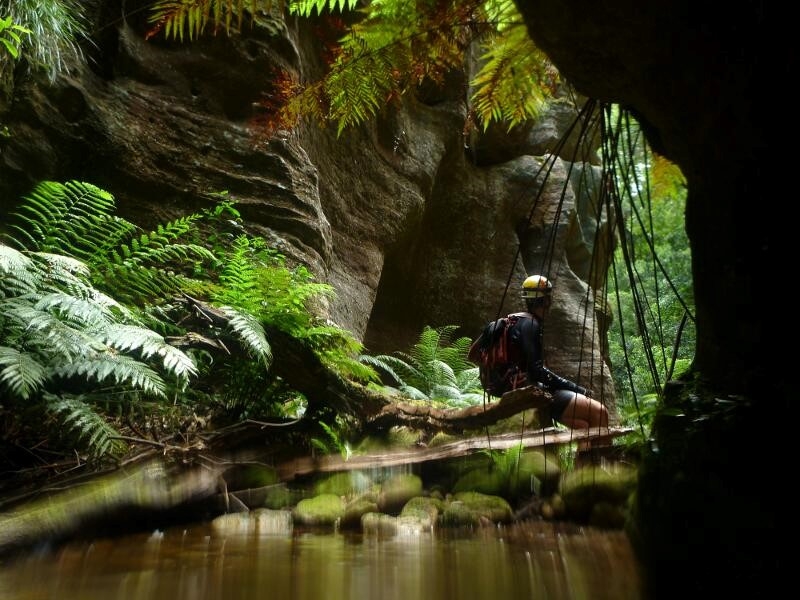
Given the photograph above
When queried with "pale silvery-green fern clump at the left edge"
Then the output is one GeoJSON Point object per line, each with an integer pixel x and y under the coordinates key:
{"type": "Point", "coordinates": [59, 334]}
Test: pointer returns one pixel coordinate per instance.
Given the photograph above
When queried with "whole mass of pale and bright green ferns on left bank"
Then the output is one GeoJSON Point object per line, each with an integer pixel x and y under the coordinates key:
{"type": "Point", "coordinates": [86, 299]}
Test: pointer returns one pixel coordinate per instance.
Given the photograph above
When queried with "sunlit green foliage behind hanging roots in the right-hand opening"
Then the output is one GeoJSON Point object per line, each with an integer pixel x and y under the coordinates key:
{"type": "Point", "coordinates": [652, 337]}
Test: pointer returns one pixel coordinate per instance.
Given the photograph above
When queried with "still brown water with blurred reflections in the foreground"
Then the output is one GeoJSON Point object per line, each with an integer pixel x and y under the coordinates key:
{"type": "Point", "coordinates": [536, 560]}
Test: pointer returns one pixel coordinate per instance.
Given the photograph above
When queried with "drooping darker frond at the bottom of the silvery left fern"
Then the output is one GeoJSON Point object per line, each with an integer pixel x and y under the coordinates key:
{"type": "Point", "coordinates": [81, 420]}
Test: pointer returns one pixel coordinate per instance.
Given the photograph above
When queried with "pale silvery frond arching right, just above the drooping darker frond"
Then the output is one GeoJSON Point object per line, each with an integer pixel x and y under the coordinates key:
{"type": "Point", "coordinates": [120, 369]}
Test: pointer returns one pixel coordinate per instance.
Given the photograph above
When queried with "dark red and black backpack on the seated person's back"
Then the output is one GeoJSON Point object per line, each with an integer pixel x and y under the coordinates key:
{"type": "Point", "coordinates": [498, 357]}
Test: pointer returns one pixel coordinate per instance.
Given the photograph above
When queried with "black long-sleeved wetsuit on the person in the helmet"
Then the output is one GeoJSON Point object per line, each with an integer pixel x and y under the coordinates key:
{"type": "Point", "coordinates": [527, 336]}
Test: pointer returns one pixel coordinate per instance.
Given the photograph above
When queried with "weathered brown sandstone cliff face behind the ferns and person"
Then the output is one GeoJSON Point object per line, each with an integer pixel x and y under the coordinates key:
{"type": "Point", "coordinates": [410, 223]}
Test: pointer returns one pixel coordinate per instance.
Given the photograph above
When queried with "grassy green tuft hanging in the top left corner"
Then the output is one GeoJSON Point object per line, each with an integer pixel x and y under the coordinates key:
{"type": "Point", "coordinates": [51, 32]}
